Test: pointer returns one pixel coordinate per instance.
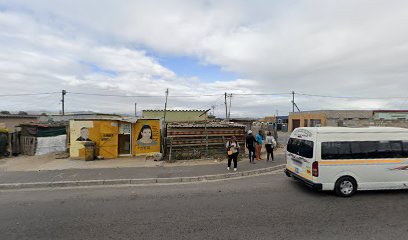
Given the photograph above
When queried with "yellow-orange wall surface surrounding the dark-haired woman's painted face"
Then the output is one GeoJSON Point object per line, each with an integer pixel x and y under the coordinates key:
{"type": "Point", "coordinates": [146, 146]}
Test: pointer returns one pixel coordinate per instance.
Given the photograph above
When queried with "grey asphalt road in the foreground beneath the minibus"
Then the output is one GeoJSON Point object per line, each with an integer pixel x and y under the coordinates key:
{"type": "Point", "coordinates": [262, 207]}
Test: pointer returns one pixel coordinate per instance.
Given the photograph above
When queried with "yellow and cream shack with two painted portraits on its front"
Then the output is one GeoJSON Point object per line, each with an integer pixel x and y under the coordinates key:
{"type": "Point", "coordinates": [115, 138]}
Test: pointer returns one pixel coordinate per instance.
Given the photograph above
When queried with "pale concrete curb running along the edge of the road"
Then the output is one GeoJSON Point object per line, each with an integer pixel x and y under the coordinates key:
{"type": "Point", "coordinates": [141, 181]}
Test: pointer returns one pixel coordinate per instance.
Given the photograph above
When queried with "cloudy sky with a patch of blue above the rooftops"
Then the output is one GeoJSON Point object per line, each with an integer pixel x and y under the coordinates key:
{"type": "Point", "coordinates": [109, 55]}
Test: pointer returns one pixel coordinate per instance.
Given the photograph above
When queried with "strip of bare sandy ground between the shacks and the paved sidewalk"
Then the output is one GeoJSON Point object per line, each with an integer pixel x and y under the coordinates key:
{"type": "Point", "coordinates": [49, 162]}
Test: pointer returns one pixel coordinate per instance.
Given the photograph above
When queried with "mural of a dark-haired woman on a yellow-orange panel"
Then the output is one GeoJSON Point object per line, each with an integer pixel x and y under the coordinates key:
{"type": "Point", "coordinates": [147, 137]}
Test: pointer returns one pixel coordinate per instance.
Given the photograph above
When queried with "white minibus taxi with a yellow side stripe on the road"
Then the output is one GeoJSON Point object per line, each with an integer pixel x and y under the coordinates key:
{"type": "Point", "coordinates": [349, 159]}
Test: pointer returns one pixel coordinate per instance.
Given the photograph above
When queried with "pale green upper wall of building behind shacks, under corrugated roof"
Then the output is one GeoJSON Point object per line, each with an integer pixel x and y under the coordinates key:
{"type": "Point", "coordinates": [176, 116]}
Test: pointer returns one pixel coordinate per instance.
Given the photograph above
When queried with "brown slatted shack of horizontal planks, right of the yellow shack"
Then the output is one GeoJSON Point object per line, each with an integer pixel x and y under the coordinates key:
{"type": "Point", "coordinates": [195, 140]}
